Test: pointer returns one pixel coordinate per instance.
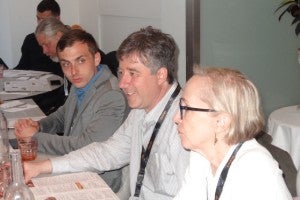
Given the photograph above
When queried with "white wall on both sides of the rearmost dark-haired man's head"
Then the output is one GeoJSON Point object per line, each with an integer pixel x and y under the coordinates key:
{"type": "Point", "coordinates": [18, 18]}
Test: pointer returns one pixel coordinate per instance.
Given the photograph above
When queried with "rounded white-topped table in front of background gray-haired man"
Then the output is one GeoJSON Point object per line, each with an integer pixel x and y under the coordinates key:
{"type": "Point", "coordinates": [16, 84]}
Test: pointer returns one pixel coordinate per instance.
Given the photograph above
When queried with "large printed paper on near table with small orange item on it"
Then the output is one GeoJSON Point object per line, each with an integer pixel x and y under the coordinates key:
{"type": "Point", "coordinates": [82, 185]}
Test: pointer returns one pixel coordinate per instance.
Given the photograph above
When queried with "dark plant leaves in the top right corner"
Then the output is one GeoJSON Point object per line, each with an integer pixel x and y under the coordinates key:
{"type": "Point", "coordinates": [293, 8]}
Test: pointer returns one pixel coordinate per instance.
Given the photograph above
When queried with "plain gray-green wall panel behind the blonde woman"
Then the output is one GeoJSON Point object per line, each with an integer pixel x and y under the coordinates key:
{"type": "Point", "coordinates": [246, 35]}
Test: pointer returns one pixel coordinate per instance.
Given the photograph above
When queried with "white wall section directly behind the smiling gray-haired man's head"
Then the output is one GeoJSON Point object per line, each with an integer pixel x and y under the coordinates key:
{"type": "Point", "coordinates": [119, 18]}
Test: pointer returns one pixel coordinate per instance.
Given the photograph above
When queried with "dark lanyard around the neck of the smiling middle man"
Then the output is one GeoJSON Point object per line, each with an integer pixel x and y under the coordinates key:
{"type": "Point", "coordinates": [145, 153]}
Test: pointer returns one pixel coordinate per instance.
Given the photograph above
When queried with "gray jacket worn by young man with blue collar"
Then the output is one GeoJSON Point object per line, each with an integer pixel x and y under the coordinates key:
{"type": "Point", "coordinates": [102, 111]}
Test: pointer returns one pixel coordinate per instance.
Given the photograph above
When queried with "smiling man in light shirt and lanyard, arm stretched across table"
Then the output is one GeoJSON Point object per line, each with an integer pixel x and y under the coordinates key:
{"type": "Point", "coordinates": [148, 139]}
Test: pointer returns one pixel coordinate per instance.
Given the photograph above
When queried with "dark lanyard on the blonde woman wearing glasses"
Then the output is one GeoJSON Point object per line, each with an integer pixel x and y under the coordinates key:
{"type": "Point", "coordinates": [224, 172]}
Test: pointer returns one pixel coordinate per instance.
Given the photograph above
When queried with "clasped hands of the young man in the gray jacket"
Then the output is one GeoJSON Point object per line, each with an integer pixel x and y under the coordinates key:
{"type": "Point", "coordinates": [26, 128]}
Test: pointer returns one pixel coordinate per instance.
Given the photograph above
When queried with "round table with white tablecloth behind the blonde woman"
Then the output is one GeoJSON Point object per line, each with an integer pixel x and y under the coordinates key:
{"type": "Point", "coordinates": [284, 127]}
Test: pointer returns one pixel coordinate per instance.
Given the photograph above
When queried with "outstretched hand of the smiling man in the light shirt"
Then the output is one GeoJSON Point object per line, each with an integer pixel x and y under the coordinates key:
{"type": "Point", "coordinates": [33, 169]}
